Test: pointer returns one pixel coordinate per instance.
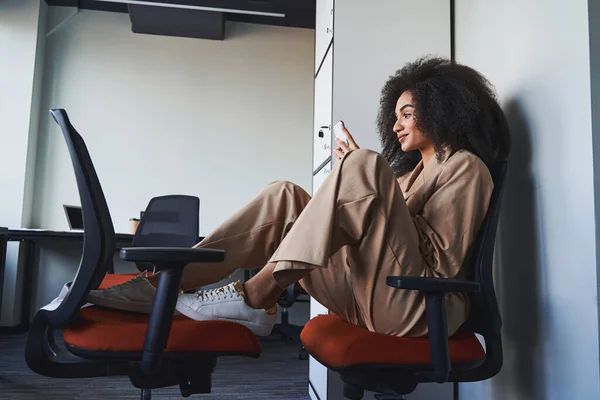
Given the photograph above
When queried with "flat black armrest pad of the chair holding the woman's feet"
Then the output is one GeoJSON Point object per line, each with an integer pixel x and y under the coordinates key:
{"type": "Point", "coordinates": [172, 255]}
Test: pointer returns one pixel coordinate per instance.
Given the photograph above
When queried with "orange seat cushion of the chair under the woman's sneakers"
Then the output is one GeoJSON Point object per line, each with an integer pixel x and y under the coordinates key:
{"type": "Point", "coordinates": [101, 330]}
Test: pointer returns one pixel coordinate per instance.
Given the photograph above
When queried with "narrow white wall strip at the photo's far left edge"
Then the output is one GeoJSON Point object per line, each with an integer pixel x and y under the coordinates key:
{"type": "Point", "coordinates": [22, 26]}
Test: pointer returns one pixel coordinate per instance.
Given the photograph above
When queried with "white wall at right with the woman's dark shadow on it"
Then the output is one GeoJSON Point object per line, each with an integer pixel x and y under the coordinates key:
{"type": "Point", "coordinates": [537, 55]}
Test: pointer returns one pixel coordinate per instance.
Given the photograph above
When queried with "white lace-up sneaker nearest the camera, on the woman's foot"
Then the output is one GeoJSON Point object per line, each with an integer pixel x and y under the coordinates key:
{"type": "Point", "coordinates": [227, 303]}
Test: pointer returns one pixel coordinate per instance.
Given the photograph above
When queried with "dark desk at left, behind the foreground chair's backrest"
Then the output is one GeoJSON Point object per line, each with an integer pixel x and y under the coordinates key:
{"type": "Point", "coordinates": [29, 239]}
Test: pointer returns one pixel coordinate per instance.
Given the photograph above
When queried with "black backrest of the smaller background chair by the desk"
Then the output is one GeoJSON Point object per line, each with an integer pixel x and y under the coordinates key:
{"type": "Point", "coordinates": [168, 221]}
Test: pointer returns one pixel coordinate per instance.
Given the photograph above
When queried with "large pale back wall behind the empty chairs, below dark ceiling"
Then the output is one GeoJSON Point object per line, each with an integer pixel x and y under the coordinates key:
{"type": "Point", "coordinates": [162, 115]}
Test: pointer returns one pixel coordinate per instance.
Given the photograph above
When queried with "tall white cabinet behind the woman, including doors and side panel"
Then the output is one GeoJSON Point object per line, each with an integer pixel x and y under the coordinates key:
{"type": "Point", "coordinates": [358, 45]}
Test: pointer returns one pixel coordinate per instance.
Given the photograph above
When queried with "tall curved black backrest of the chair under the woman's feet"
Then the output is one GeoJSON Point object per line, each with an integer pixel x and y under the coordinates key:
{"type": "Point", "coordinates": [98, 231]}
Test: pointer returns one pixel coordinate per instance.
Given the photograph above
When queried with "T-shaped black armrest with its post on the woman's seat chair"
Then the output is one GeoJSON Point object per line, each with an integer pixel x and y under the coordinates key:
{"type": "Point", "coordinates": [435, 290]}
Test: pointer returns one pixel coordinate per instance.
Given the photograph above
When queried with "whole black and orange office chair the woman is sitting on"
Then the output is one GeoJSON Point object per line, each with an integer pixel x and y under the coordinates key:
{"type": "Point", "coordinates": [393, 366]}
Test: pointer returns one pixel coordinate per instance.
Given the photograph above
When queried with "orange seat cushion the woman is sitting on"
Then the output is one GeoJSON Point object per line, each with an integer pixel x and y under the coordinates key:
{"type": "Point", "coordinates": [338, 344]}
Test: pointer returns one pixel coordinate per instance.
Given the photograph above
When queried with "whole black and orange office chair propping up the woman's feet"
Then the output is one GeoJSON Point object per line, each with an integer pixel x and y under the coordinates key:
{"type": "Point", "coordinates": [154, 351]}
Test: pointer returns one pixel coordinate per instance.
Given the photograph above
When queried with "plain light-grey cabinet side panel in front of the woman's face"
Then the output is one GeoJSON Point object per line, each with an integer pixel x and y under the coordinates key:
{"type": "Point", "coordinates": [371, 42]}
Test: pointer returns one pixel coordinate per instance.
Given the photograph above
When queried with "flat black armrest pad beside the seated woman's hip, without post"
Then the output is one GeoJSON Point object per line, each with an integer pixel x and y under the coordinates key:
{"type": "Point", "coordinates": [429, 285]}
